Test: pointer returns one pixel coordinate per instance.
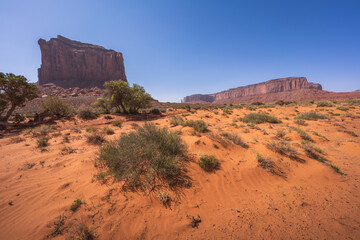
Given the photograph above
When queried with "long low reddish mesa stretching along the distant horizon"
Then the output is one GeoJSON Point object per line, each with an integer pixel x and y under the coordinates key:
{"type": "Point", "coordinates": [271, 86]}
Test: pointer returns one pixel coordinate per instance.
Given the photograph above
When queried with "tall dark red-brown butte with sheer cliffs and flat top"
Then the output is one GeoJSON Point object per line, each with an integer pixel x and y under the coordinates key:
{"type": "Point", "coordinates": [69, 64]}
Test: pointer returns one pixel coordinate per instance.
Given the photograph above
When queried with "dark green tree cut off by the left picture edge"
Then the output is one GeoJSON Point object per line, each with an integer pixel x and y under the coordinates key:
{"type": "Point", "coordinates": [14, 92]}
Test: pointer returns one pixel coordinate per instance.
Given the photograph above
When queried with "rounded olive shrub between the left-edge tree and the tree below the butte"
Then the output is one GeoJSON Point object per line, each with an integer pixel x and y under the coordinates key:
{"type": "Point", "coordinates": [57, 107]}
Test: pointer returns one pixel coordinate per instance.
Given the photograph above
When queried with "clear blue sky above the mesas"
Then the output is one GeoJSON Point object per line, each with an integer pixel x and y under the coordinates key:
{"type": "Point", "coordinates": [176, 48]}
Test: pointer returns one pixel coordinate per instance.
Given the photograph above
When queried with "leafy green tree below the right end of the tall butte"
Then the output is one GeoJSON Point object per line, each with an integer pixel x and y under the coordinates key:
{"type": "Point", "coordinates": [125, 98]}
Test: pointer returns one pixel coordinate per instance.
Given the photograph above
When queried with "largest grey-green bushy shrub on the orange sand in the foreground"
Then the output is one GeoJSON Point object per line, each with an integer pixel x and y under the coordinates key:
{"type": "Point", "coordinates": [145, 158]}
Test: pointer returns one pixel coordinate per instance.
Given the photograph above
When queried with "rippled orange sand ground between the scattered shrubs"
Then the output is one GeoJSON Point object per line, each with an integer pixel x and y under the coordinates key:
{"type": "Point", "coordinates": [239, 201]}
